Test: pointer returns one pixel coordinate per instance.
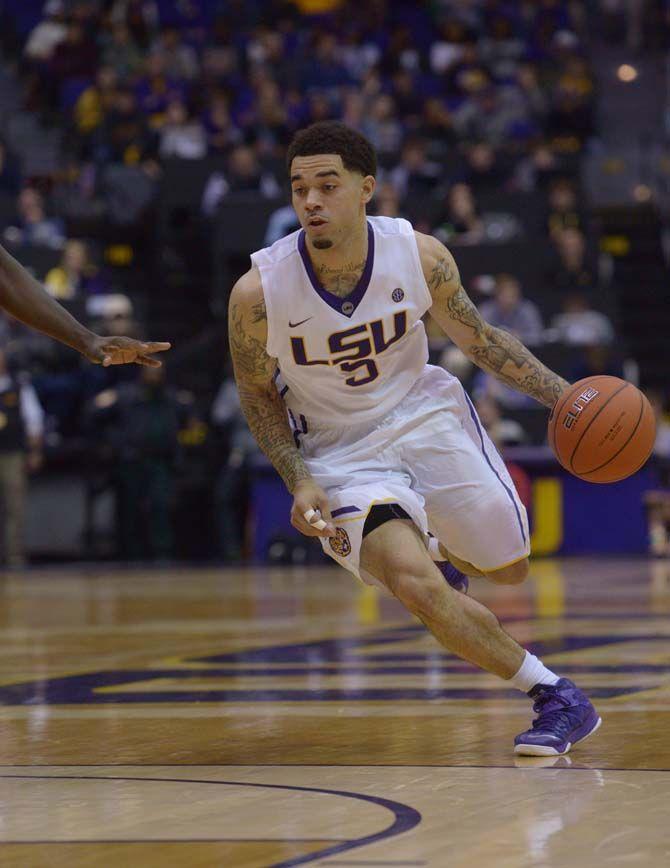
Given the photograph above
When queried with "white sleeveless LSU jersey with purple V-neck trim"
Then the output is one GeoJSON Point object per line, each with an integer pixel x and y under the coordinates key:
{"type": "Point", "coordinates": [346, 360]}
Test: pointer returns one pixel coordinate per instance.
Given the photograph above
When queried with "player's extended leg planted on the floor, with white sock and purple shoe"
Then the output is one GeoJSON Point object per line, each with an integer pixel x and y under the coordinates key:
{"type": "Point", "coordinates": [396, 555]}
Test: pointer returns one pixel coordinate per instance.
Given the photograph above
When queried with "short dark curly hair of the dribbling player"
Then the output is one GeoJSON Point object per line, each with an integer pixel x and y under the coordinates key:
{"type": "Point", "coordinates": [334, 137]}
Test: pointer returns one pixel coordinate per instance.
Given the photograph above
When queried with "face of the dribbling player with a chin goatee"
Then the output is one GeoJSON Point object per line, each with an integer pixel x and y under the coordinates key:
{"type": "Point", "coordinates": [328, 199]}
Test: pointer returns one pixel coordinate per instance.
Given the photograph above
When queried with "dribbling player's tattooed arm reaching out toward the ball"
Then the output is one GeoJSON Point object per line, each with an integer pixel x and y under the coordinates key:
{"type": "Point", "coordinates": [492, 349]}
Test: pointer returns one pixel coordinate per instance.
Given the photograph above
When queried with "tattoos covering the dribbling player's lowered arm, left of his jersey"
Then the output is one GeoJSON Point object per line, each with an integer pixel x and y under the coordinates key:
{"type": "Point", "coordinates": [263, 408]}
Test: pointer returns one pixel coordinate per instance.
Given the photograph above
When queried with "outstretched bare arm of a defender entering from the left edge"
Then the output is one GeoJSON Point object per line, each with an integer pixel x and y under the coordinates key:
{"type": "Point", "coordinates": [26, 300]}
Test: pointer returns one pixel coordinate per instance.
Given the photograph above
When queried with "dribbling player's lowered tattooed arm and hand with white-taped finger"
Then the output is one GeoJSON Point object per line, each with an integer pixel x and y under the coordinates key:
{"type": "Point", "coordinates": [262, 405]}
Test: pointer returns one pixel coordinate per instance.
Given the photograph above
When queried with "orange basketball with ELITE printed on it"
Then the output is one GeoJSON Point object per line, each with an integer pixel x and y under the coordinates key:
{"type": "Point", "coordinates": [602, 429]}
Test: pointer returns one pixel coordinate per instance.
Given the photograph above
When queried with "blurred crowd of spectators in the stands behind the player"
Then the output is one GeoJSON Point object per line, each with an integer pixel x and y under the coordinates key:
{"type": "Point", "coordinates": [462, 100]}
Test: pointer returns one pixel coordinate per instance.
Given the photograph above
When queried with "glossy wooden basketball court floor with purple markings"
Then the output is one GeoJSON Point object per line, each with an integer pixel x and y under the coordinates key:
{"type": "Point", "coordinates": [269, 717]}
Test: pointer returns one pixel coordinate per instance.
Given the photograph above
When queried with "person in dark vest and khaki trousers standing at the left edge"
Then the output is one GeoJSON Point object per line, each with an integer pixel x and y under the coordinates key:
{"type": "Point", "coordinates": [21, 437]}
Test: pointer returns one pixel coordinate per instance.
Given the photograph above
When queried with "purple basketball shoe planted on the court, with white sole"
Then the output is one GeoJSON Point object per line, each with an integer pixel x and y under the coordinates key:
{"type": "Point", "coordinates": [564, 717]}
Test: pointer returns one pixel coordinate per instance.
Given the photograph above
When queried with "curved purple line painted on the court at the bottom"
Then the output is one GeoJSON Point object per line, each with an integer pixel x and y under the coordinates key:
{"type": "Point", "coordinates": [405, 817]}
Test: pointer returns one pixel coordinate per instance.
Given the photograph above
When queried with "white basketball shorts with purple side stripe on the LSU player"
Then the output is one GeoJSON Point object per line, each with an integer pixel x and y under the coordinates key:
{"type": "Point", "coordinates": [430, 455]}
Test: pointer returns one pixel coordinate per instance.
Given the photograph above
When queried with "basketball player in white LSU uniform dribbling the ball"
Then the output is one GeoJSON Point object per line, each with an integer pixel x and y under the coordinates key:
{"type": "Point", "coordinates": [384, 454]}
